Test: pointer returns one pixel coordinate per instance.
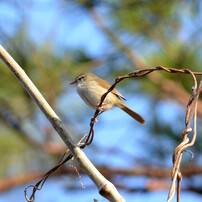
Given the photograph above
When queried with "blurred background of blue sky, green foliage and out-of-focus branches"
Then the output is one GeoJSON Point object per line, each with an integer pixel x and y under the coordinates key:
{"type": "Point", "coordinates": [54, 41]}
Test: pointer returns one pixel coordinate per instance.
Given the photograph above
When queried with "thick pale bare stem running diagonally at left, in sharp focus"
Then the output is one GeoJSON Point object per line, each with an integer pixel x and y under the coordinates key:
{"type": "Point", "coordinates": [106, 189]}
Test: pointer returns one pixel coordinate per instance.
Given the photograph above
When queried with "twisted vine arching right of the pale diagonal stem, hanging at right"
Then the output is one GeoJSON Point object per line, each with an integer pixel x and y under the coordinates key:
{"type": "Point", "coordinates": [191, 112]}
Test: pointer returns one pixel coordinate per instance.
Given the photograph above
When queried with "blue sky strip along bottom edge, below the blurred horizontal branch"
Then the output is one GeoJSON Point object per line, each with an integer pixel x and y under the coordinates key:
{"type": "Point", "coordinates": [60, 194]}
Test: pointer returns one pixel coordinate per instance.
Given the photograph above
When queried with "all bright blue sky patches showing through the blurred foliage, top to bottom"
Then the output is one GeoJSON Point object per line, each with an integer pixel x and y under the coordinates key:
{"type": "Point", "coordinates": [76, 30]}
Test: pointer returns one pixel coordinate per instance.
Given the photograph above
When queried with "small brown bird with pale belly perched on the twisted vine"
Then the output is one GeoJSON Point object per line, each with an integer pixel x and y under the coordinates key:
{"type": "Point", "coordinates": [91, 88]}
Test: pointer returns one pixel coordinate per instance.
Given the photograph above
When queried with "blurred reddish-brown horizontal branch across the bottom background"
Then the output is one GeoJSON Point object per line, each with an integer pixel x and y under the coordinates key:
{"type": "Point", "coordinates": [109, 173]}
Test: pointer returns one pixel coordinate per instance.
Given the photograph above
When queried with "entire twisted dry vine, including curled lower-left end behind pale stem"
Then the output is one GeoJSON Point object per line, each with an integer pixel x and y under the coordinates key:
{"type": "Point", "coordinates": [177, 156]}
